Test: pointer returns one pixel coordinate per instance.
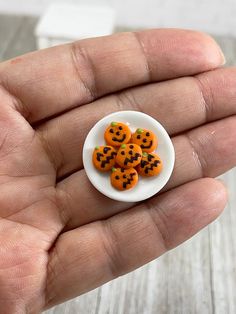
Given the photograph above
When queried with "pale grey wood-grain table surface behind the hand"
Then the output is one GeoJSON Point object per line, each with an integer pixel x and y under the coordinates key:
{"type": "Point", "coordinates": [198, 277]}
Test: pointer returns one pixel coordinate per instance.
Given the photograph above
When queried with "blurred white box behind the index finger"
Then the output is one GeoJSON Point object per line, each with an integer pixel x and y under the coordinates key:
{"type": "Point", "coordinates": [63, 23]}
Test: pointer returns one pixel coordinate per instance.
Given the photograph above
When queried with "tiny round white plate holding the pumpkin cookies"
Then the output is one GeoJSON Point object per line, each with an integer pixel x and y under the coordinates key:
{"type": "Point", "coordinates": [146, 187]}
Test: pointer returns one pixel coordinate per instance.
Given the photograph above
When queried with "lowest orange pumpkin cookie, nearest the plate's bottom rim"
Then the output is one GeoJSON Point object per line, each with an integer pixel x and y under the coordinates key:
{"type": "Point", "coordinates": [124, 179]}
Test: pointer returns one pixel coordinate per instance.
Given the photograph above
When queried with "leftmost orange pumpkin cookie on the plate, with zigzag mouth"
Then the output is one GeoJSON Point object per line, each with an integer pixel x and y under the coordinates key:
{"type": "Point", "coordinates": [104, 157]}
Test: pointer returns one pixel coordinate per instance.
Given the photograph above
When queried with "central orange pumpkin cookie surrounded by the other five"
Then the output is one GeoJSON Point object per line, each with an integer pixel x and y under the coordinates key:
{"type": "Point", "coordinates": [129, 156]}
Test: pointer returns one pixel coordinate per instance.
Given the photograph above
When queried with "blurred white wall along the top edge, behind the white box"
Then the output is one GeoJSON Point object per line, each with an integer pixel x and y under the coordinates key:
{"type": "Point", "coordinates": [215, 16]}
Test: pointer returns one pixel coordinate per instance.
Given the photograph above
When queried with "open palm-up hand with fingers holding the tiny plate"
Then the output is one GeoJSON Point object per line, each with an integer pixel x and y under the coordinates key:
{"type": "Point", "coordinates": [59, 236]}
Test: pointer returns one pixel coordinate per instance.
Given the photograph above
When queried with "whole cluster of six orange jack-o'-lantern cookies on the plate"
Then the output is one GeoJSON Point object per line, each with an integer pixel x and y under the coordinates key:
{"type": "Point", "coordinates": [124, 152]}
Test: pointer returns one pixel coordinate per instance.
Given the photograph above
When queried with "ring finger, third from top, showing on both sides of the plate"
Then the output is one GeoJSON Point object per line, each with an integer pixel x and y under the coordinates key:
{"type": "Point", "coordinates": [202, 152]}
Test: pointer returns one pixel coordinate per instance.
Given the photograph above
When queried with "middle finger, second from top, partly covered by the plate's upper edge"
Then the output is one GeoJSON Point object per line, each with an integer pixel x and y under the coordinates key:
{"type": "Point", "coordinates": [179, 104]}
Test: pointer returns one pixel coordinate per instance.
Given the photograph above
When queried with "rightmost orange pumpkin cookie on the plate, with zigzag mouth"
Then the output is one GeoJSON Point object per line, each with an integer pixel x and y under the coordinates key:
{"type": "Point", "coordinates": [151, 165]}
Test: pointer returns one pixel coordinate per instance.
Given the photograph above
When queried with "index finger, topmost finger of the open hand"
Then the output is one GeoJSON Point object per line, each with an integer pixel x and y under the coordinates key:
{"type": "Point", "coordinates": [55, 80]}
